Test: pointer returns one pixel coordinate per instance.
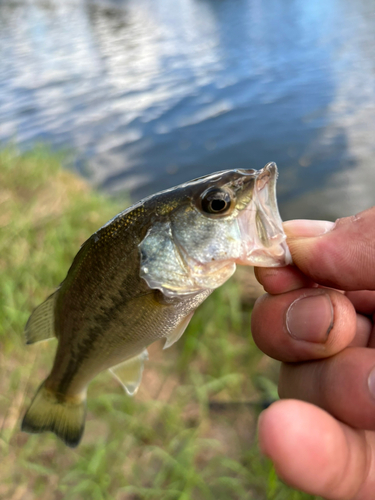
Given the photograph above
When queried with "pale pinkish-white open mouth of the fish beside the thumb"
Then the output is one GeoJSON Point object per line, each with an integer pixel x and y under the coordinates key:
{"type": "Point", "coordinates": [263, 238]}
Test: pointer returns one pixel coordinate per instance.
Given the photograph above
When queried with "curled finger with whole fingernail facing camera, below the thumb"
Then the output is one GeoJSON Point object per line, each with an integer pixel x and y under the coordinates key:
{"type": "Point", "coordinates": [308, 323]}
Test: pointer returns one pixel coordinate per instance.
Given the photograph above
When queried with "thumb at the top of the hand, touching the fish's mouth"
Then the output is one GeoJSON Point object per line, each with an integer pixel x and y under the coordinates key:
{"type": "Point", "coordinates": [339, 255]}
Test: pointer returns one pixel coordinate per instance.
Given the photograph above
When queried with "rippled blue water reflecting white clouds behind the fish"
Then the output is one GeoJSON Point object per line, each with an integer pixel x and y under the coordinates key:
{"type": "Point", "coordinates": [151, 93]}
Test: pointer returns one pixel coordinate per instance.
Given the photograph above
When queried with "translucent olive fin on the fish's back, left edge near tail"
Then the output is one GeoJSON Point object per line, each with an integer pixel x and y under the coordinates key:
{"type": "Point", "coordinates": [40, 325]}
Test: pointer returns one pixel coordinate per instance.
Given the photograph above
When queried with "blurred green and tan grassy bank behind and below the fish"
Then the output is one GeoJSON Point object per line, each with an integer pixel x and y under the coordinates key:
{"type": "Point", "coordinates": [186, 435]}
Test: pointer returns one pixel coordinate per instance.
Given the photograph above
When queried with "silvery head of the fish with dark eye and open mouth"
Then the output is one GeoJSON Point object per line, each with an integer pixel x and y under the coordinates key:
{"type": "Point", "coordinates": [217, 221]}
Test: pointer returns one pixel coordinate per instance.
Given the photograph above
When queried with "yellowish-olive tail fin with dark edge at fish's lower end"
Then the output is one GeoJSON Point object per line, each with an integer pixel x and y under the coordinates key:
{"type": "Point", "coordinates": [63, 415]}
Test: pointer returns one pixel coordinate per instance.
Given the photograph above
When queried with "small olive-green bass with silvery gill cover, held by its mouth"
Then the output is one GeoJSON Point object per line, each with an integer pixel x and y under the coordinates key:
{"type": "Point", "coordinates": [141, 277]}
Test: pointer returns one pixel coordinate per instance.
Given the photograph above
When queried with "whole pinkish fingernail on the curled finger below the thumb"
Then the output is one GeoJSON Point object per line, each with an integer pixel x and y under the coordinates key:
{"type": "Point", "coordinates": [310, 318]}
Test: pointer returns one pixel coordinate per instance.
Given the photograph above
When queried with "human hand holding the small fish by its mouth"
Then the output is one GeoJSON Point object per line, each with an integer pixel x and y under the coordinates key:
{"type": "Point", "coordinates": [322, 438]}
